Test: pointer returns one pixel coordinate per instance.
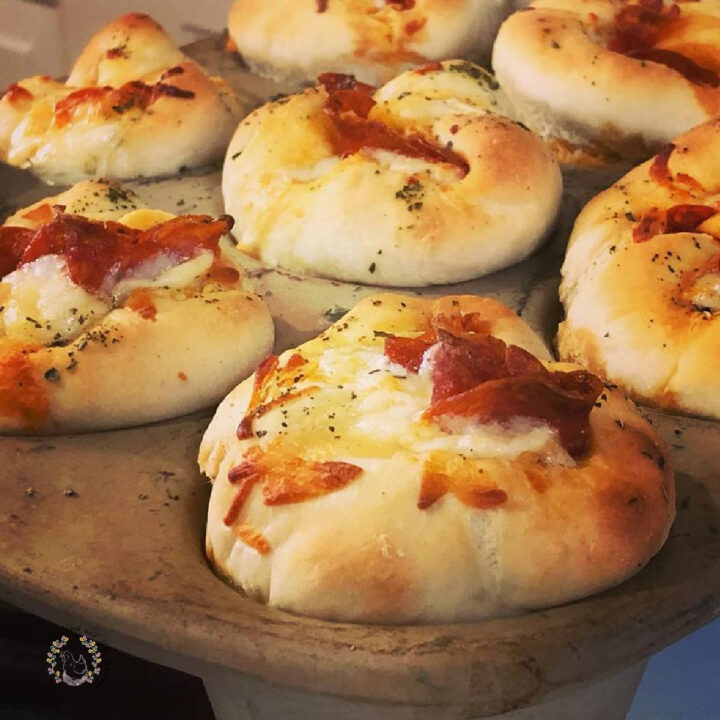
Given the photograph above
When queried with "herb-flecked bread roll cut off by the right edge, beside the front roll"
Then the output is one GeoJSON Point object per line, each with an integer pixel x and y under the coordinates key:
{"type": "Point", "coordinates": [641, 280]}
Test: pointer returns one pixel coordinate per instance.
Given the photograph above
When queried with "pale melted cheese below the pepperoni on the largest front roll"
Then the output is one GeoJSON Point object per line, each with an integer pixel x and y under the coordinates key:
{"type": "Point", "coordinates": [366, 406]}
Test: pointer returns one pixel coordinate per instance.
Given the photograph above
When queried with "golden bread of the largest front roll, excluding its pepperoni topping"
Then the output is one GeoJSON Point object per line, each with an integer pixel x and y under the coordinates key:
{"type": "Point", "coordinates": [367, 552]}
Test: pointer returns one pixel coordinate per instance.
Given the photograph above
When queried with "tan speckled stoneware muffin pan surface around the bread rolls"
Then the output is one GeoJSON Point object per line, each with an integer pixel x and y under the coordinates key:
{"type": "Point", "coordinates": [105, 531]}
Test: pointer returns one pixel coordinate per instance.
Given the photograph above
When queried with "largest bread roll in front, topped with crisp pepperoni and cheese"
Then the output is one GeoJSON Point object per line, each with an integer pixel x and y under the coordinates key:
{"type": "Point", "coordinates": [357, 478]}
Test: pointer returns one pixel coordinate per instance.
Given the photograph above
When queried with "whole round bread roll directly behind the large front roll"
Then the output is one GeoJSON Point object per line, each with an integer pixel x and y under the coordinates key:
{"type": "Point", "coordinates": [422, 182]}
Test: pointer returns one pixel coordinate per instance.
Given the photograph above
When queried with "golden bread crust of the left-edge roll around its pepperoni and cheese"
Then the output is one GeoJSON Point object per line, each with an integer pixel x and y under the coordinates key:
{"type": "Point", "coordinates": [130, 366]}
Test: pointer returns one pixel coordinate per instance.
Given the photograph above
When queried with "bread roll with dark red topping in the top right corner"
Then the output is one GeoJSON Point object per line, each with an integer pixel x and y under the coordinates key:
{"type": "Point", "coordinates": [605, 80]}
